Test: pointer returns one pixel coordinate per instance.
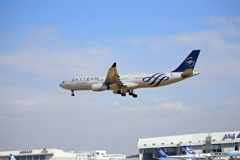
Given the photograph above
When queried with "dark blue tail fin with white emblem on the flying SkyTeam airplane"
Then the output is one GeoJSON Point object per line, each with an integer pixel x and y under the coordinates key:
{"type": "Point", "coordinates": [189, 62]}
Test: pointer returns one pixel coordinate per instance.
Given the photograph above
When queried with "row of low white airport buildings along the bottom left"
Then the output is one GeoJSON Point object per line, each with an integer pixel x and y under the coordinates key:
{"type": "Point", "coordinates": [57, 154]}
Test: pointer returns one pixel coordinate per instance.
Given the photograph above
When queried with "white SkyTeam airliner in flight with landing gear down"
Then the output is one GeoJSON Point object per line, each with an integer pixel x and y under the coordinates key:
{"type": "Point", "coordinates": [127, 83]}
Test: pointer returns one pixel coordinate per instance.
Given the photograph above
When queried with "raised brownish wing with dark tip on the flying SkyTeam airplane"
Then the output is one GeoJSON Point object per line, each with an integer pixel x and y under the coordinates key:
{"type": "Point", "coordinates": [113, 77]}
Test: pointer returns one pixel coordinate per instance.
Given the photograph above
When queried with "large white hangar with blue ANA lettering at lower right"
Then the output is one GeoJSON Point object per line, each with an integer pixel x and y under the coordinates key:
{"type": "Point", "coordinates": [200, 143]}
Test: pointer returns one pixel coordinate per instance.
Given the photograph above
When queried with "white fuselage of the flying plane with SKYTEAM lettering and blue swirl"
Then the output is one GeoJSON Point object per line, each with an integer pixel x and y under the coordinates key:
{"type": "Point", "coordinates": [129, 81]}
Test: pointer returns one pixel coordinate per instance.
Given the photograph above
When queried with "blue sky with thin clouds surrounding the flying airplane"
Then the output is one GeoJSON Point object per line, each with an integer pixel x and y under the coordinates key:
{"type": "Point", "coordinates": [43, 43]}
